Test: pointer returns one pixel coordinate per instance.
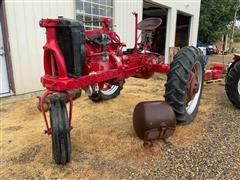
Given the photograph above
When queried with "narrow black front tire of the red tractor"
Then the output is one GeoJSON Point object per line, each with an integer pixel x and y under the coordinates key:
{"type": "Point", "coordinates": [61, 140]}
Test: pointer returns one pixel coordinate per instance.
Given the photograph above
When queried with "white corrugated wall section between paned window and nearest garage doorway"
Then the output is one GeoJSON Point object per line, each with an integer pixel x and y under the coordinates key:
{"type": "Point", "coordinates": [124, 20]}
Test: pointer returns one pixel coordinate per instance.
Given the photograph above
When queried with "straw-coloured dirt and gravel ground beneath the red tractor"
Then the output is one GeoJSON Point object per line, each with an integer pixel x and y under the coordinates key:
{"type": "Point", "coordinates": [104, 145]}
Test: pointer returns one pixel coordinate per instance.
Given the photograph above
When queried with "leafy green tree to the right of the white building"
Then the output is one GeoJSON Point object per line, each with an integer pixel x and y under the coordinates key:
{"type": "Point", "coordinates": [215, 18]}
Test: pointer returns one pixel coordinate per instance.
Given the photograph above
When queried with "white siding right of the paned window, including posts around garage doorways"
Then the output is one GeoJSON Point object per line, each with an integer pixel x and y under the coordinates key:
{"type": "Point", "coordinates": [124, 20]}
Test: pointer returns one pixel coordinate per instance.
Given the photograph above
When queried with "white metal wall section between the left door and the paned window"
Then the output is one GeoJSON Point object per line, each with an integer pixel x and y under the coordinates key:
{"type": "Point", "coordinates": [26, 38]}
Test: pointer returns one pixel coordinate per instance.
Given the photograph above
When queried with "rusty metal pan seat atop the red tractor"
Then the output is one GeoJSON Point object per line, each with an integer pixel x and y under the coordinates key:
{"type": "Point", "coordinates": [149, 24]}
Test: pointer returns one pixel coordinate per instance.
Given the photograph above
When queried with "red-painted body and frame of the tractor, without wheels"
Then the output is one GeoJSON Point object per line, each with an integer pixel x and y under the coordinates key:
{"type": "Point", "coordinates": [116, 68]}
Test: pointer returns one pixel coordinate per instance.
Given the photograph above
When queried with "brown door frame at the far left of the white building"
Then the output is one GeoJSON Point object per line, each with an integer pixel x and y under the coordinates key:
{"type": "Point", "coordinates": [5, 35]}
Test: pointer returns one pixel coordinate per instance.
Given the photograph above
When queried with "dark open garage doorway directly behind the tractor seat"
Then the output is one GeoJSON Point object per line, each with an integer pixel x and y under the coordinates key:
{"type": "Point", "coordinates": [154, 10]}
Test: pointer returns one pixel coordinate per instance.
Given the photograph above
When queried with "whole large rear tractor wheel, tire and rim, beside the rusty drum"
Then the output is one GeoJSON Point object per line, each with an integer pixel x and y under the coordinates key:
{"type": "Point", "coordinates": [185, 83]}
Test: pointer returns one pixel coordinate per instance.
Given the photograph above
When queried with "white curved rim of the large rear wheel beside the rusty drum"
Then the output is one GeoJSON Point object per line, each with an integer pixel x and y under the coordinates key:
{"type": "Point", "coordinates": [191, 106]}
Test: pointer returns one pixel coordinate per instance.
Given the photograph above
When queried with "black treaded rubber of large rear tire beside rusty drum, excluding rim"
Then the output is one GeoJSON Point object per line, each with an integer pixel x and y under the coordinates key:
{"type": "Point", "coordinates": [176, 84]}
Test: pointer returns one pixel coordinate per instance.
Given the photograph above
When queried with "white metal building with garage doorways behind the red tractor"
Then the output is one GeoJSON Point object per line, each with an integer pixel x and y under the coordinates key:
{"type": "Point", "coordinates": [21, 38]}
